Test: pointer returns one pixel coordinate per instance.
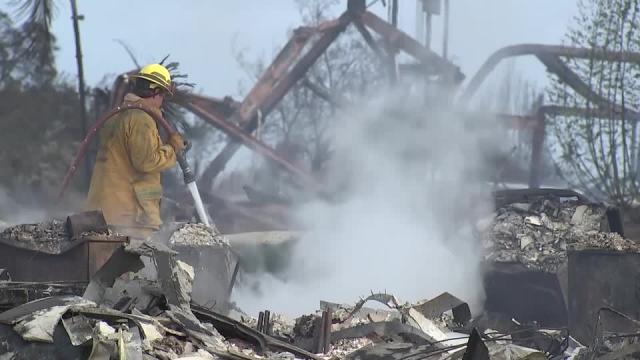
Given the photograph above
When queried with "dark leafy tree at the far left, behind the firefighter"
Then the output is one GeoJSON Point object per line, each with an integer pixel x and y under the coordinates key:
{"type": "Point", "coordinates": [40, 124]}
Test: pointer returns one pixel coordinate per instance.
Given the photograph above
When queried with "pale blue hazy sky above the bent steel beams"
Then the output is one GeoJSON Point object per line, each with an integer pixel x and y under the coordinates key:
{"type": "Point", "coordinates": [202, 34]}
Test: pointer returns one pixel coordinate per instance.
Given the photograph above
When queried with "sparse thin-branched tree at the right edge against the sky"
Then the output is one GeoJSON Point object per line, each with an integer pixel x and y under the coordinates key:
{"type": "Point", "coordinates": [599, 152]}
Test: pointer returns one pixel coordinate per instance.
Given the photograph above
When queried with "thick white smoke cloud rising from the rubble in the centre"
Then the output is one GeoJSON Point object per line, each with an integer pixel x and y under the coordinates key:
{"type": "Point", "coordinates": [404, 223]}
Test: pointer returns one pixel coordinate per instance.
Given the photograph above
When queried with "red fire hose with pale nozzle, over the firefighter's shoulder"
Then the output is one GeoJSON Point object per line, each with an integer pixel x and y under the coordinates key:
{"type": "Point", "coordinates": [187, 172]}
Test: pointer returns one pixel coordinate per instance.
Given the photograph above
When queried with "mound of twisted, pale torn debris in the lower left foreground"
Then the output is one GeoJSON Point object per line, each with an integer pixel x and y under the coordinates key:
{"type": "Point", "coordinates": [125, 317]}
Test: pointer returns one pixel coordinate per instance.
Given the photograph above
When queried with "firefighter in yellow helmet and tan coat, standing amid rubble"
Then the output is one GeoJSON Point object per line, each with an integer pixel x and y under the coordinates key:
{"type": "Point", "coordinates": [125, 183]}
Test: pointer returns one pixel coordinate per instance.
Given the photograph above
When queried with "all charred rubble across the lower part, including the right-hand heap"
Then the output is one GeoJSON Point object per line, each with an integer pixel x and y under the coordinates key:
{"type": "Point", "coordinates": [552, 279]}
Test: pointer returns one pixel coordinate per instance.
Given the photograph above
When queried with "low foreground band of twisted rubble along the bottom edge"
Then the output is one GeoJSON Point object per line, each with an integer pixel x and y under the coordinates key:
{"type": "Point", "coordinates": [121, 317]}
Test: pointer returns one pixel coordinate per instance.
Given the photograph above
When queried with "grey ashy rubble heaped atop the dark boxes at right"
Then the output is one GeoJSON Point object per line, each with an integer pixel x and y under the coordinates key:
{"type": "Point", "coordinates": [538, 234]}
